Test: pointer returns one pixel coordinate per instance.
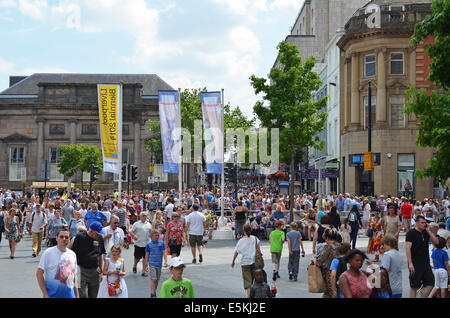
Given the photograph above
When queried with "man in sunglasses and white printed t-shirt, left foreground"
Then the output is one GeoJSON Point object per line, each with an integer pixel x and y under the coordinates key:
{"type": "Point", "coordinates": [57, 269]}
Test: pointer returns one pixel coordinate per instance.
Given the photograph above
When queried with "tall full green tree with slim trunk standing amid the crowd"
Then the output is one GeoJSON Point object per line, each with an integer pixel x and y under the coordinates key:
{"type": "Point", "coordinates": [291, 108]}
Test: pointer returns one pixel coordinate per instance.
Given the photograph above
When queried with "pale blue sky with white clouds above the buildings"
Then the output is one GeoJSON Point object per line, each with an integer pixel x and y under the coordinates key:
{"type": "Point", "coordinates": [188, 43]}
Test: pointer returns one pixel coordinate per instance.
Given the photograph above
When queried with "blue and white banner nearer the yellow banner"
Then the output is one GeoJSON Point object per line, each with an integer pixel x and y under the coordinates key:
{"type": "Point", "coordinates": [170, 121]}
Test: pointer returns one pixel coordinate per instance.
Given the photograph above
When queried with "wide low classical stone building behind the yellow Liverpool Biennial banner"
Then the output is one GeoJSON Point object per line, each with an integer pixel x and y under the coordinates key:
{"type": "Point", "coordinates": [41, 111]}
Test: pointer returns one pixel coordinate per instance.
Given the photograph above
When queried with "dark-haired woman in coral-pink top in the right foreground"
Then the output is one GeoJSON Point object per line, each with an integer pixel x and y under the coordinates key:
{"type": "Point", "coordinates": [353, 282]}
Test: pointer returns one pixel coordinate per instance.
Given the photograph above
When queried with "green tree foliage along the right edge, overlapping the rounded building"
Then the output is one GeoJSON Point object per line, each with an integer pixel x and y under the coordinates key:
{"type": "Point", "coordinates": [433, 109]}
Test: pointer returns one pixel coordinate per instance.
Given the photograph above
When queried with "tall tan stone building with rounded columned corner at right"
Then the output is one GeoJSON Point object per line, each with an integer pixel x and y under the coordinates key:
{"type": "Point", "coordinates": [376, 47]}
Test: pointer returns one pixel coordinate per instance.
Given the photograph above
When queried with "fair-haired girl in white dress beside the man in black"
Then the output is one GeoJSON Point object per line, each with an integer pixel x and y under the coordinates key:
{"type": "Point", "coordinates": [114, 271]}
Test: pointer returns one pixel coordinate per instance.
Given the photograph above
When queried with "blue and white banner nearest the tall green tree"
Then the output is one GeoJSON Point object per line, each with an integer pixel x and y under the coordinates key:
{"type": "Point", "coordinates": [213, 125]}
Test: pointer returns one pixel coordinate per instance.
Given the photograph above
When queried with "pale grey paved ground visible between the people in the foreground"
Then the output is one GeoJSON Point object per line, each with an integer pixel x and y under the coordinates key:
{"type": "Point", "coordinates": [214, 278]}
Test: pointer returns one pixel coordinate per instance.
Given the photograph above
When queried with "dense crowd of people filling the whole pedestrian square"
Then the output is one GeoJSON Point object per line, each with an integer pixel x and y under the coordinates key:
{"type": "Point", "coordinates": [85, 236]}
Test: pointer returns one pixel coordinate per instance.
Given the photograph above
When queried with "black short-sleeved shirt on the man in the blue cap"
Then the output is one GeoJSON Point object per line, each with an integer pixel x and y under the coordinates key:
{"type": "Point", "coordinates": [88, 250]}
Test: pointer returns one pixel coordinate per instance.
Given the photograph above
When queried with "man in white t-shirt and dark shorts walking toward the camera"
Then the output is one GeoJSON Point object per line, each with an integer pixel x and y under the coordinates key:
{"type": "Point", "coordinates": [140, 232]}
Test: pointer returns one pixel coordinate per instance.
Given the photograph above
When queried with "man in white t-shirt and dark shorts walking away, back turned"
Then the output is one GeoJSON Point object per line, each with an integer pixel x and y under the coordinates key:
{"type": "Point", "coordinates": [196, 228]}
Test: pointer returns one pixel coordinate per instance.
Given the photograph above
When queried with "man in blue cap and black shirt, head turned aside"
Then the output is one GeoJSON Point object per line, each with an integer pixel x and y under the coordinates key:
{"type": "Point", "coordinates": [89, 248]}
